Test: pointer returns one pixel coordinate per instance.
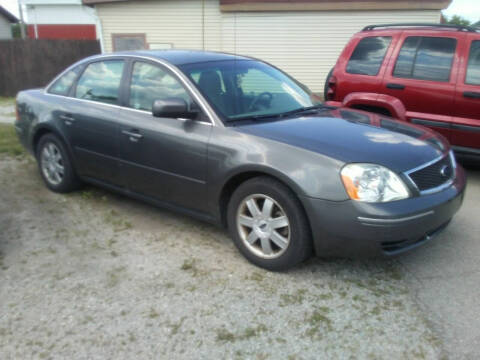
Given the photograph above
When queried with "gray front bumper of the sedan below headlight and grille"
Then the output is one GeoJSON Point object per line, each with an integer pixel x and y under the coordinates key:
{"type": "Point", "coordinates": [355, 229]}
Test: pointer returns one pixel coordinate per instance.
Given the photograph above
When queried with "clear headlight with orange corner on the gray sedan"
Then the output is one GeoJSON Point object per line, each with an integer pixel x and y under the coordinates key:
{"type": "Point", "coordinates": [373, 183]}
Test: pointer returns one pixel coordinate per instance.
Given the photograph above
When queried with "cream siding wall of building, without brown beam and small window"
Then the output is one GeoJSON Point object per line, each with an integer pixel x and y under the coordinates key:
{"type": "Point", "coordinates": [305, 44]}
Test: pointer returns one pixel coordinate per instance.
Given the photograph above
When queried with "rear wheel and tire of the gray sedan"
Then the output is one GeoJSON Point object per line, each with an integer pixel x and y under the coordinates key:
{"type": "Point", "coordinates": [50, 166]}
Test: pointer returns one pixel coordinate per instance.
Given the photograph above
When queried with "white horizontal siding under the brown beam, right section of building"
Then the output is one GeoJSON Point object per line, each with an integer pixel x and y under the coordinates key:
{"type": "Point", "coordinates": [305, 44]}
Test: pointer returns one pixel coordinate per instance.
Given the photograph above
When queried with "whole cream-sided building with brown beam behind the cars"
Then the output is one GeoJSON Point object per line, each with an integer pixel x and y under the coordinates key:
{"type": "Point", "coordinates": [302, 37]}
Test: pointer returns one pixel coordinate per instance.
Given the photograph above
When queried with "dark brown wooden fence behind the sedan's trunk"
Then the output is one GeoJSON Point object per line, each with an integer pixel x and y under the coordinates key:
{"type": "Point", "coordinates": [26, 64]}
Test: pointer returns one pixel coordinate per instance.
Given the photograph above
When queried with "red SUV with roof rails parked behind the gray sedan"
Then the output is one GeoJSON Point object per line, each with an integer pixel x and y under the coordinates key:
{"type": "Point", "coordinates": [427, 74]}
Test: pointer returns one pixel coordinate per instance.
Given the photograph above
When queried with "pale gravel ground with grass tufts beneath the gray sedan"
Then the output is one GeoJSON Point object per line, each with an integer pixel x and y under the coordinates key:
{"type": "Point", "coordinates": [93, 275]}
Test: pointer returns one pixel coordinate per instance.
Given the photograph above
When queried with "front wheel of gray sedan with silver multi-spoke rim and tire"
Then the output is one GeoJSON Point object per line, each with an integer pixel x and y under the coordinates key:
{"type": "Point", "coordinates": [257, 236]}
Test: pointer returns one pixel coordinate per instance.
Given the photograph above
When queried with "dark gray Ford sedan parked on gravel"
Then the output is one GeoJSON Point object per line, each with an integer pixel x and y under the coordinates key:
{"type": "Point", "coordinates": [237, 142]}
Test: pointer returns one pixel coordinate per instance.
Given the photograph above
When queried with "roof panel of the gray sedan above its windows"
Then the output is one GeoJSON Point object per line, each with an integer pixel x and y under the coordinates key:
{"type": "Point", "coordinates": [182, 57]}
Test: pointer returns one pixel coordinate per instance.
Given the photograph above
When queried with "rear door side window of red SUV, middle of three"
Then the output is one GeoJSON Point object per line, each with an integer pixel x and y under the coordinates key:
{"type": "Point", "coordinates": [426, 58]}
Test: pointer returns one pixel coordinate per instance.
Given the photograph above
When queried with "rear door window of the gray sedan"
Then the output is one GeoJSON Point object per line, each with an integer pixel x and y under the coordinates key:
{"type": "Point", "coordinates": [101, 81]}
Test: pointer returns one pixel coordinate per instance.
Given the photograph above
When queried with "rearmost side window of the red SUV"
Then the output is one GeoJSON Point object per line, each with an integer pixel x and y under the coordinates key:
{"type": "Point", "coordinates": [368, 55]}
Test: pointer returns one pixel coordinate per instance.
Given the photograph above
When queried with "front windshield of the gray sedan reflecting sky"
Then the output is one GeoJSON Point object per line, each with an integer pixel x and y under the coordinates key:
{"type": "Point", "coordinates": [248, 89]}
